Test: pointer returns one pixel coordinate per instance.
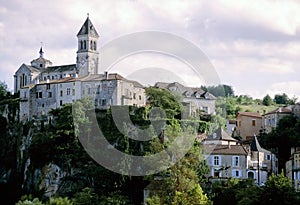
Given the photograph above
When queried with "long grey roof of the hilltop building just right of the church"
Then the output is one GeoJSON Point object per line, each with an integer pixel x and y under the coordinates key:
{"type": "Point", "coordinates": [184, 90]}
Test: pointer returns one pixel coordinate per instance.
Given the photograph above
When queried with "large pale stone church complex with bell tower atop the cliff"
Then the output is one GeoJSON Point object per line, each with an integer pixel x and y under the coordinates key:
{"type": "Point", "coordinates": [43, 87]}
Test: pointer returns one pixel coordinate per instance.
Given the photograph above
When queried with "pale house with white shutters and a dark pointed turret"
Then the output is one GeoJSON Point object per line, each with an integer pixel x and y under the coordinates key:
{"type": "Point", "coordinates": [227, 158]}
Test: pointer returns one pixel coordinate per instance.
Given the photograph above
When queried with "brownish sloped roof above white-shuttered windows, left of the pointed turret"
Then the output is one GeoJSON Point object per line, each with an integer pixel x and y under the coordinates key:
{"type": "Point", "coordinates": [225, 149]}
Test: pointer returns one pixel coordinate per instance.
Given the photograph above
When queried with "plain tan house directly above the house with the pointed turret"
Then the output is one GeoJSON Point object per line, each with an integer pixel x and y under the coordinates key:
{"type": "Point", "coordinates": [248, 124]}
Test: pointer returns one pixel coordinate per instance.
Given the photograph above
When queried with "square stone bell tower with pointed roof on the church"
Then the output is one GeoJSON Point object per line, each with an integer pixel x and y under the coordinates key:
{"type": "Point", "coordinates": [87, 53]}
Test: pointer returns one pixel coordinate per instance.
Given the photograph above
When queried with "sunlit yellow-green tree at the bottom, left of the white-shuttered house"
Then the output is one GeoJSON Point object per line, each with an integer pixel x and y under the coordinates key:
{"type": "Point", "coordinates": [181, 181]}
